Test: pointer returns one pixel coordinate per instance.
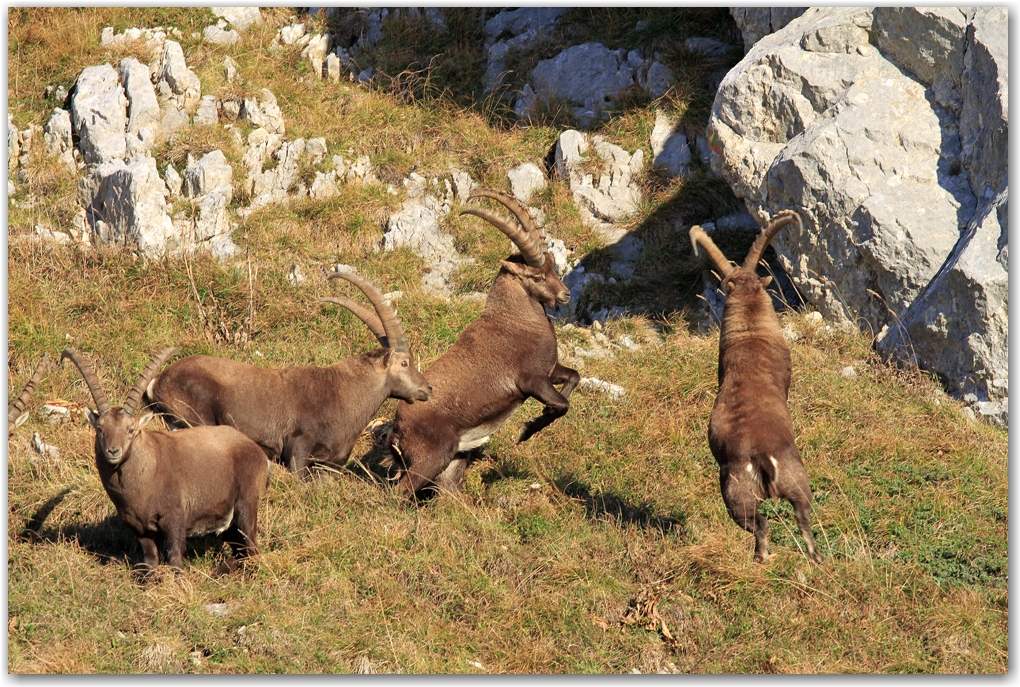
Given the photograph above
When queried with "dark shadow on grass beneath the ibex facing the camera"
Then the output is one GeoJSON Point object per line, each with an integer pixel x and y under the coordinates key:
{"type": "Point", "coordinates": [109, 541]}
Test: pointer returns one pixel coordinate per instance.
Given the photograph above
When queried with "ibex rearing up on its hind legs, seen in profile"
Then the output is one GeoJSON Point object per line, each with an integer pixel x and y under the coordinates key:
{"type": "Point", "coordinates": [504, 357]}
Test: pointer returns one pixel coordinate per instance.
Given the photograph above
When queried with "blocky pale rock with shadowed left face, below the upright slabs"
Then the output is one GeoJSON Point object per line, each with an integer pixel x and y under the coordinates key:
{"type": "Point", "coordinates": [130, 207]}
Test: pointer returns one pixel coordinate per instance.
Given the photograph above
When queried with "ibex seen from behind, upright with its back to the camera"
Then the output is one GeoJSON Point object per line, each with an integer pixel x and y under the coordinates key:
{"type": "Point", "coordinates": [750, 431]}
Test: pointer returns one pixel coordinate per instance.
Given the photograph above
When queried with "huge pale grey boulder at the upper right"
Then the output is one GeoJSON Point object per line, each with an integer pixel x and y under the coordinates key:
{"type": "Point", "coordinates": [887, 129]}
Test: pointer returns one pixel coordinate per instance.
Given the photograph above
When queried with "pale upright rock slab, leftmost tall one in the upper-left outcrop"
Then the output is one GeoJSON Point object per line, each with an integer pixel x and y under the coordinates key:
{"type": "Point", "coordinates": [99, 115]}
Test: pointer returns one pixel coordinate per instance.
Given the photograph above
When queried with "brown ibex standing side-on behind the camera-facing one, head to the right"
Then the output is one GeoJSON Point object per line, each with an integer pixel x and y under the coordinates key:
{"type": "Point", "coordinates": [298, 415]}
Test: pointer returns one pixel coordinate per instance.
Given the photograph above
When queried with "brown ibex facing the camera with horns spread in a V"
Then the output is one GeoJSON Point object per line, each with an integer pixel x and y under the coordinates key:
{"type": "Point", "coordinates": [168, 487]}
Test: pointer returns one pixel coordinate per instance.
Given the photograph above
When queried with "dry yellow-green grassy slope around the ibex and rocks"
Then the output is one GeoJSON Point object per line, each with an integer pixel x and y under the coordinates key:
{"type": "Point", "coordinates": [911, 498]}
